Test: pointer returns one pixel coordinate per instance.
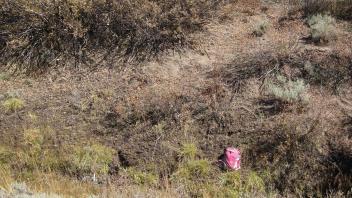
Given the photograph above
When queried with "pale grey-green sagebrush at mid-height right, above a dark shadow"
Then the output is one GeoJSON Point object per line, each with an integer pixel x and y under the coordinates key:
{"type": "Point", "coordinates": [288, 90]}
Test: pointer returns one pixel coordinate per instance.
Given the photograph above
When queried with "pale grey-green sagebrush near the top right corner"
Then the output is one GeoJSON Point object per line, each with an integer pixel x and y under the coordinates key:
{"type": "Point", "coordinates": [322, 28]}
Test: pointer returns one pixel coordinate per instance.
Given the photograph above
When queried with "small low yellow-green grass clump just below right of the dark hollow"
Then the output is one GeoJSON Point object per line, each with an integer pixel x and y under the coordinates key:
{"type": "Point", "coordinates": [142, 178]}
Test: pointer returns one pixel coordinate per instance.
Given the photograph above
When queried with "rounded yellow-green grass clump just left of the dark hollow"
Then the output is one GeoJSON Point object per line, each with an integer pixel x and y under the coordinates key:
{"type": "Point", "coordinates": [93, 158]}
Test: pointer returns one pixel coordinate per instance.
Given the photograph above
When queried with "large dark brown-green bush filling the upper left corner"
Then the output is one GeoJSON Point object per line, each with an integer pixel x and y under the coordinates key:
{"type": "Point", "coordinates": [49, 33]}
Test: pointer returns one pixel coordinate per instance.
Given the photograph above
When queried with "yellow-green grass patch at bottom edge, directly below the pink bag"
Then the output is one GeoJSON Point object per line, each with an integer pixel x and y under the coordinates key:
{"type": "Point", "coordinates": [225, 184]}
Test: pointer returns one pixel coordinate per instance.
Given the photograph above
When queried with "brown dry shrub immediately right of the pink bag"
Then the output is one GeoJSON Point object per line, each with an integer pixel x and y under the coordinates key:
{"type": "Point", "coordinates": [291, 156]}
